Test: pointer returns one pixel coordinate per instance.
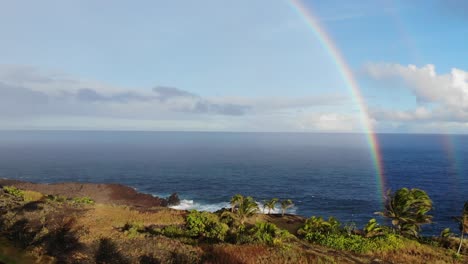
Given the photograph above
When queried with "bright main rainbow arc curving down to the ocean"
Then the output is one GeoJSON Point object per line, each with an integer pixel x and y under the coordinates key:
{"type": "Point", "coordinates": [329, 46]}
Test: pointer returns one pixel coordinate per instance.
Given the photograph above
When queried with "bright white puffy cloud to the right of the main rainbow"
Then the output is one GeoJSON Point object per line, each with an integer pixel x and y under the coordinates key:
{"type": "Point", "coordinates": [442, 98]}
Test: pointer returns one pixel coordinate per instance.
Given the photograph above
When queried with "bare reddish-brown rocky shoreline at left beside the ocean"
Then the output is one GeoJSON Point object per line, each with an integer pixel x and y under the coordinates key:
{"type": "Point", "coordinates": [108, 193]}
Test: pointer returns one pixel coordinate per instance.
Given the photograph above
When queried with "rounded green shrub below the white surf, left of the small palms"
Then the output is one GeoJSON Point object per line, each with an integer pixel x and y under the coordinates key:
{"type": "Point", "coordinates": [205, 225]}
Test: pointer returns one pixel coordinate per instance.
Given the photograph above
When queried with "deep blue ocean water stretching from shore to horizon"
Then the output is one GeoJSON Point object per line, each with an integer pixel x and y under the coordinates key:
{"type": "Point", "coordinates": [324, 174]}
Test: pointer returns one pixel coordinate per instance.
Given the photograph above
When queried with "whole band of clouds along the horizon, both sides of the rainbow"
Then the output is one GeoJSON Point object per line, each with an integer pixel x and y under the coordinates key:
{"type": "Point", "coordinates": [34, 99]}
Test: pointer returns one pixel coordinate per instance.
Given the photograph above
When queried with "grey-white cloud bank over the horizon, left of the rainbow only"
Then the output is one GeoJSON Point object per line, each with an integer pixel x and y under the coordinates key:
{"type": "Point", "coordinates": [34, 99]}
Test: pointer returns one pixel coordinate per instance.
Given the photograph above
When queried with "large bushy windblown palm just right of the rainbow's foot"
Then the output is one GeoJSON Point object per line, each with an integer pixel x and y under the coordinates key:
{"type": "Point", "coordinates": [407, 209]}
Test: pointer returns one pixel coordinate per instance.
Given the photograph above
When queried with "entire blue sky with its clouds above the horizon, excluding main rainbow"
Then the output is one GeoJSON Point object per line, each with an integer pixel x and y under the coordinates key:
{"type": "Point", "coordinates": [247, 65]}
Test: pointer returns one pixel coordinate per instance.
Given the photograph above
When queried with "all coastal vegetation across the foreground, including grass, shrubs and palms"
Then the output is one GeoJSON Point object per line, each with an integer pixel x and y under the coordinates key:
{"type": "Point", "coordinates": [76, 230]}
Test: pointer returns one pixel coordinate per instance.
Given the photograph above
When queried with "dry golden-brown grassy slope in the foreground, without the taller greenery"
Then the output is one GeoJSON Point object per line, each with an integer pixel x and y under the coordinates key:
{"type": "Point", "coordinates": [55, 228]}
